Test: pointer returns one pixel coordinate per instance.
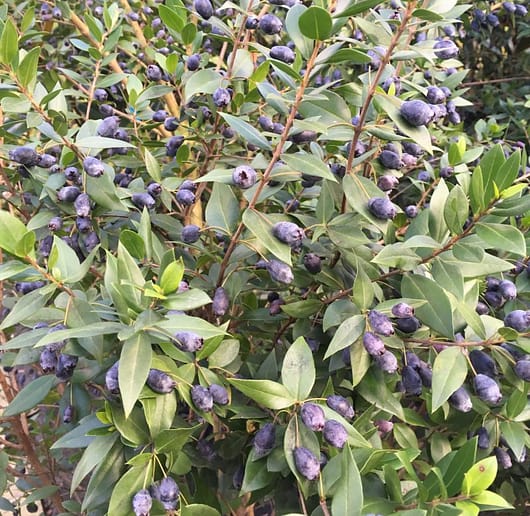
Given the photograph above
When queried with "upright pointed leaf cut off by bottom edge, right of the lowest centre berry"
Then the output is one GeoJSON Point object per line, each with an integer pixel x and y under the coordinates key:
{"type": "Point", "coordinates": [348, 497]}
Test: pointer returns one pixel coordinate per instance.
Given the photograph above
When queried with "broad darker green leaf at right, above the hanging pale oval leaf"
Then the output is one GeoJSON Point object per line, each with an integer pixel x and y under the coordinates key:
{"type": "Point", "coordinates": [437, 312]}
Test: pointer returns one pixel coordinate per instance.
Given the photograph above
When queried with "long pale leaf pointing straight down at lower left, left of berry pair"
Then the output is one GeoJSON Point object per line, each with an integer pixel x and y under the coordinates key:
{"type": "Point", "coordinates": [135, 362]}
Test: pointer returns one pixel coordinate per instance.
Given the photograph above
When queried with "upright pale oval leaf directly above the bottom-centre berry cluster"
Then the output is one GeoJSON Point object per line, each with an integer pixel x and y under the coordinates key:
{"type": "Point", "coordinates": [298, 369]}
